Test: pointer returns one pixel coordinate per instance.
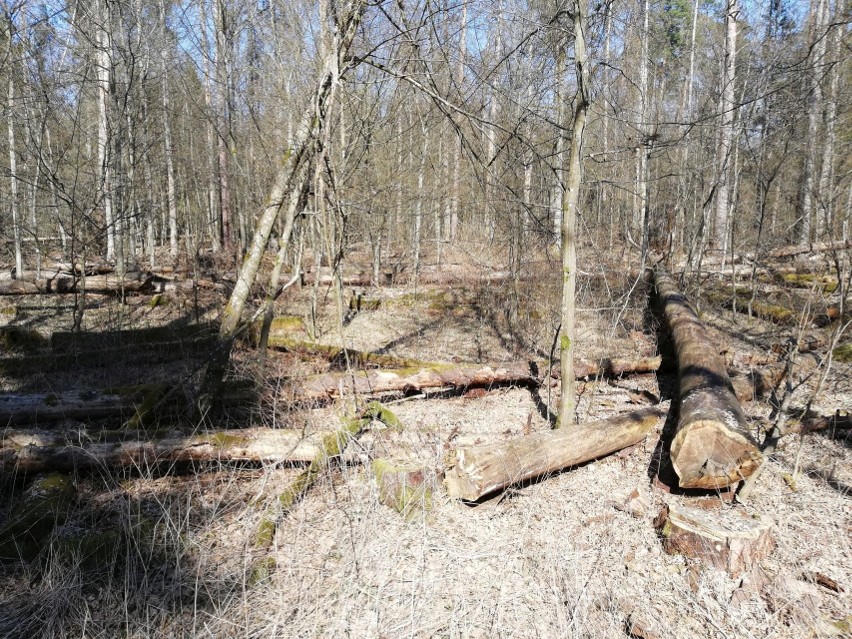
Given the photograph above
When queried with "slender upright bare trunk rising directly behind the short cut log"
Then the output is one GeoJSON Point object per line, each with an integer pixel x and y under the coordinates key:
{"type": "Point", "coordinates": [569, 222]}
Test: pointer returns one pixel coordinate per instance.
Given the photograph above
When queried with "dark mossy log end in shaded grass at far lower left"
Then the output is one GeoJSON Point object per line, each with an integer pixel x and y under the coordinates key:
{"type": "Point", "coordinates": [28, 524]}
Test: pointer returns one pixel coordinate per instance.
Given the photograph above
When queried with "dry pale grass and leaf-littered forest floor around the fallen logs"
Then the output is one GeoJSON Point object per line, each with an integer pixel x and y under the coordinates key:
{"type": "Point", "coordinates": [561, 556]}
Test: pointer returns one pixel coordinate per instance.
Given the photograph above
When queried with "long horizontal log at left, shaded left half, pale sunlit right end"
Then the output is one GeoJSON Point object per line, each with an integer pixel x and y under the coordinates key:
{"type": "Point", "coordinates": [40, 450]}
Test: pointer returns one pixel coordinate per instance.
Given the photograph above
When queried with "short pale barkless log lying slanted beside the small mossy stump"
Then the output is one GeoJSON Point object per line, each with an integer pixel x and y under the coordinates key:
{"type": "Point", "coordinates": [475, 471]}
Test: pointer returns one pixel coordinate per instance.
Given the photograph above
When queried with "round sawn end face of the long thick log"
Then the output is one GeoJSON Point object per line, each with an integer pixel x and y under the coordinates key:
{"type": "Point", "coordinates": [708, 455]}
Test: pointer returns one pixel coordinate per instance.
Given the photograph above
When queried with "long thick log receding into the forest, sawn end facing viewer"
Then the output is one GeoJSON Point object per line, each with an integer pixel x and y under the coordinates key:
{"type": "Point", "coordinates": [712, 447]}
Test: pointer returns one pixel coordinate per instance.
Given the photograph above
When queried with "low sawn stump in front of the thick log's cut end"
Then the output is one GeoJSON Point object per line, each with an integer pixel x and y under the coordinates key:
{"type": "Point", "coordinates": [727, 538]}
